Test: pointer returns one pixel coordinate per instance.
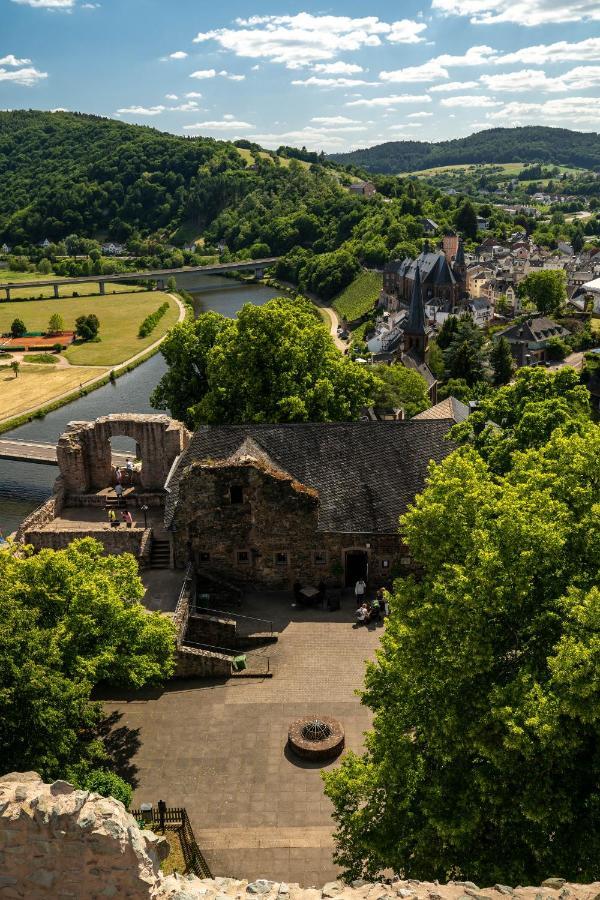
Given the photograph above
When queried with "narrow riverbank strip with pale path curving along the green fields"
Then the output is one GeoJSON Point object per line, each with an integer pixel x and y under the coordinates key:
{"type": "Point", "coordinates": [99, 379]}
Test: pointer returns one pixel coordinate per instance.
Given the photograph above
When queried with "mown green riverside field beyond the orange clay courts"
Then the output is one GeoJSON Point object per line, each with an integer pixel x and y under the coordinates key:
{"type": "Point", "coordinates": [120, 319]}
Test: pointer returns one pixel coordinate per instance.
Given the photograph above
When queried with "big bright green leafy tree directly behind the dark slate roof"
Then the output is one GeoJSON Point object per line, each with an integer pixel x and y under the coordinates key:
{"type": "Point", "coordinates": [274, 363]}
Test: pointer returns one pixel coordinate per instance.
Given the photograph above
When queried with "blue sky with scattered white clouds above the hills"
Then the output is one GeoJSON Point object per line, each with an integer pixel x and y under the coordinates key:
{"type": "Point", "coordinates": [330, 77]}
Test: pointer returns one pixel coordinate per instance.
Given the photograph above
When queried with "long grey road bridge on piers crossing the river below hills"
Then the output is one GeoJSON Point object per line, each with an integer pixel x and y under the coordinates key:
{"type": "Point", "coordinates": [161, 276]}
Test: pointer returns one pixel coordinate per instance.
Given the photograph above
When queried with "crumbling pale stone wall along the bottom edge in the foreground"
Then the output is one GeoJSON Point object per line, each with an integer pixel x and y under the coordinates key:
{"type": "Point", "coordinates": [59, 842]}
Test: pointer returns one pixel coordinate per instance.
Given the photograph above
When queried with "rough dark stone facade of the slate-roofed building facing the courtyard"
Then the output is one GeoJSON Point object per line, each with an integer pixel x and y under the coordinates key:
{"type": "Point", "coordinates": [275, 529]}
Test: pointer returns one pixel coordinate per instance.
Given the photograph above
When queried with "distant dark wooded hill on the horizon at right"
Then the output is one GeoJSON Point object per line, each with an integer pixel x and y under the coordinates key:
{"type": "Point", "coordinates": [558, 146]}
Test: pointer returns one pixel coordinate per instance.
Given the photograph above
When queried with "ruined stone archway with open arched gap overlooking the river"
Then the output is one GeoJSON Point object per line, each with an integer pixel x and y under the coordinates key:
{"type": "Point", "coordinates": [84, 451]}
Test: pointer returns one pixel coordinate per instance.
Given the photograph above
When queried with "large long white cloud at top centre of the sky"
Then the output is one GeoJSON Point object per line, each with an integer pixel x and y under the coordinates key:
{"type": "Point", "coordinates": [305, 39]}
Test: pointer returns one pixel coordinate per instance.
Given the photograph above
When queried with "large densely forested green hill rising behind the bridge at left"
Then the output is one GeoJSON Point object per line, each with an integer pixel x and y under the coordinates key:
{"type": "Point", "coordinates": [67, 173]}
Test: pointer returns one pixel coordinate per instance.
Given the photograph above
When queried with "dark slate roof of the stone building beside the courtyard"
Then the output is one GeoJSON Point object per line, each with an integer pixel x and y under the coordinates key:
{"type": "Point", "coordinates": [366, 473]}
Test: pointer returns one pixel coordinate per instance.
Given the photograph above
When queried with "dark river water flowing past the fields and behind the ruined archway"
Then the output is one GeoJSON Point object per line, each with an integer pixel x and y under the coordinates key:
{"type": "Point", "coordinates": [23, 486]}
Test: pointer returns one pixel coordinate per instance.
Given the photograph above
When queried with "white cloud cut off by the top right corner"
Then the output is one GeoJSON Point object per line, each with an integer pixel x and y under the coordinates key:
{"type": "Point", "coordinates": [522, 12]}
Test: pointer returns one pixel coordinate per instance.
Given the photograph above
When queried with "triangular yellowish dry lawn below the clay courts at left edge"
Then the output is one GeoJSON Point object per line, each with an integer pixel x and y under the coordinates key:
{"type": "Point", "coordinates": [37, 385]}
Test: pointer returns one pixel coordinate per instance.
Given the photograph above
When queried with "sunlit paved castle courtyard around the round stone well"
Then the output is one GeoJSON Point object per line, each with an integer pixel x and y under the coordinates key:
{"type": "Point", "coordinates": [219, 748]}
